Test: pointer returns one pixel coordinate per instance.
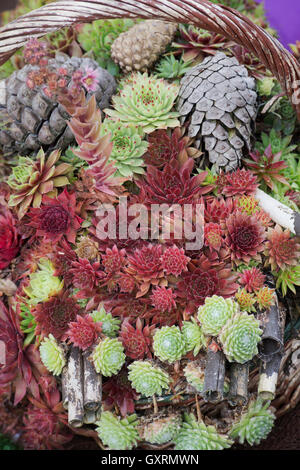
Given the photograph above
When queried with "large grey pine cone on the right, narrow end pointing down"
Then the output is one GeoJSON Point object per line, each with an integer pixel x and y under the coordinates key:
{"type": "Point", "coordinates": [218, 100]}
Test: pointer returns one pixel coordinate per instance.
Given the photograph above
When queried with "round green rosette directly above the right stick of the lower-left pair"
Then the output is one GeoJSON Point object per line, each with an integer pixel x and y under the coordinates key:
{"type": "Point", "coordinates": [108, 357]}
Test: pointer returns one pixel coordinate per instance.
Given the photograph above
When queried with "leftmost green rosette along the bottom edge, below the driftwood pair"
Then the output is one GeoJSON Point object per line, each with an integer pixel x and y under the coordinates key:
{"type": "Point", "coordinates": [116, 433]}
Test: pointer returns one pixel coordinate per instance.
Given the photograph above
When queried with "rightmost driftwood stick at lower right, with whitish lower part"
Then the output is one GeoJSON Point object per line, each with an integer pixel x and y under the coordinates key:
{"type": "Point", "coordinates": [268, 377]}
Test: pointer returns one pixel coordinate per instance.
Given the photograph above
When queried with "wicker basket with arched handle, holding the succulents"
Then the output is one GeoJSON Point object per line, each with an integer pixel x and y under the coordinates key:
{"type": "Point", "coordinates": [216, 18]}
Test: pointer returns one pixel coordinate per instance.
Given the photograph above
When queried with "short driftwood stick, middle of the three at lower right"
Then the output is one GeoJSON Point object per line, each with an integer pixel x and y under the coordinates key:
{"type": "Point", "coordinates": [238, 389]}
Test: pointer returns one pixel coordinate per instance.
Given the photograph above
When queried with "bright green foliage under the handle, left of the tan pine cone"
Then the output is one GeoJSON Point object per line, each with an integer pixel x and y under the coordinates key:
{"type": "Point", "coordinates": [97, 38]}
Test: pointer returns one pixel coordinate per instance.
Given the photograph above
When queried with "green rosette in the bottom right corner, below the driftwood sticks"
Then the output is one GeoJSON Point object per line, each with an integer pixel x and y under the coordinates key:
{"type": "Point", "coordinates": [254, 425]}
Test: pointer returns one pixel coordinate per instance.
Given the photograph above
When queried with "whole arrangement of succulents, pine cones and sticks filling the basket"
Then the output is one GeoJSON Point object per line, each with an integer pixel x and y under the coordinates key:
{"type": "Point", "coordinates": [140, 266]}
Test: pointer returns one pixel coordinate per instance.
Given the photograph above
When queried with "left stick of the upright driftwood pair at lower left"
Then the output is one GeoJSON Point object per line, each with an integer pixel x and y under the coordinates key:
{"type": "Point", "coordinates": [75, 388]}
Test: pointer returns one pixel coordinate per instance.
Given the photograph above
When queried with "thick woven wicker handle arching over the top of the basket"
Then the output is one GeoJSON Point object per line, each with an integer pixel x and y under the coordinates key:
{"type": "Point", "coordinates": [201, 13]}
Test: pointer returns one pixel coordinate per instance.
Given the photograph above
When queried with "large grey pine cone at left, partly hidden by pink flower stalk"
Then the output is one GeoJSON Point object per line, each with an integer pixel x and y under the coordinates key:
{"type": "Point", "coordinates": [32, 119]}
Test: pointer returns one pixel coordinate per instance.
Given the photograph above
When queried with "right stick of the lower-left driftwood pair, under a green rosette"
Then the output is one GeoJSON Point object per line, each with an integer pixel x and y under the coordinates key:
{"type": "Point", "coordinates": [92, 385]}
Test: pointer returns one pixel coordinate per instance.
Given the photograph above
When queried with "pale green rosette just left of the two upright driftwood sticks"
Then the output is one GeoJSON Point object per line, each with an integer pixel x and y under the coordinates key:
{"type": "Point", "coordinates": [52, 355]}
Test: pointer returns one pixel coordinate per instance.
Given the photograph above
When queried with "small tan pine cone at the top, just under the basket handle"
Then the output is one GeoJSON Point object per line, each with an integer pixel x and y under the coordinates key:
{"type": "Point", "coordinates": [140, 46]}
